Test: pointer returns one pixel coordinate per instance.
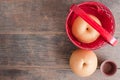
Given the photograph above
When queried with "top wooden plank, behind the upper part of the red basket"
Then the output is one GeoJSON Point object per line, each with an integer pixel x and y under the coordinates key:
{"type": "Point", "coordinates": [41, 15]}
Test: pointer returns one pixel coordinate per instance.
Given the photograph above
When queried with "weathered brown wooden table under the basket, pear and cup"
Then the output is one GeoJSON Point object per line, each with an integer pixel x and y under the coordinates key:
{"type": "Point", "coordinates": [34, 44]}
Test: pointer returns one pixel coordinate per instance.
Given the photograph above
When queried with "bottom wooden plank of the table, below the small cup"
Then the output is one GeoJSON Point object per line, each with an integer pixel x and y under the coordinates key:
{"type": "Point", "coordinates": [50, 74]}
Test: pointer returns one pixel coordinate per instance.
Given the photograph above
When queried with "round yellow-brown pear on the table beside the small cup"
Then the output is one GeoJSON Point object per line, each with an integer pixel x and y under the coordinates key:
{"type": "Point", "coordinates": [83, 62]}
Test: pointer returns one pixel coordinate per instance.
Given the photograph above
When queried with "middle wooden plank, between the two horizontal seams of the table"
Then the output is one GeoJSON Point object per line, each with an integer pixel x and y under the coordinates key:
{"type": "Point", "coordinates": [48, 50]}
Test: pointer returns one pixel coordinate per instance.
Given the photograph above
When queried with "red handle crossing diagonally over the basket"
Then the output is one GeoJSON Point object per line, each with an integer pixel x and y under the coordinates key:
{"type": "Point", "coordinates": [105, 34]}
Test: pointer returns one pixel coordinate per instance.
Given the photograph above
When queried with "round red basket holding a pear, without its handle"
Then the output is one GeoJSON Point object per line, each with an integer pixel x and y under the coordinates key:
{"type": "Point", "coordinates": [102, 13]}
